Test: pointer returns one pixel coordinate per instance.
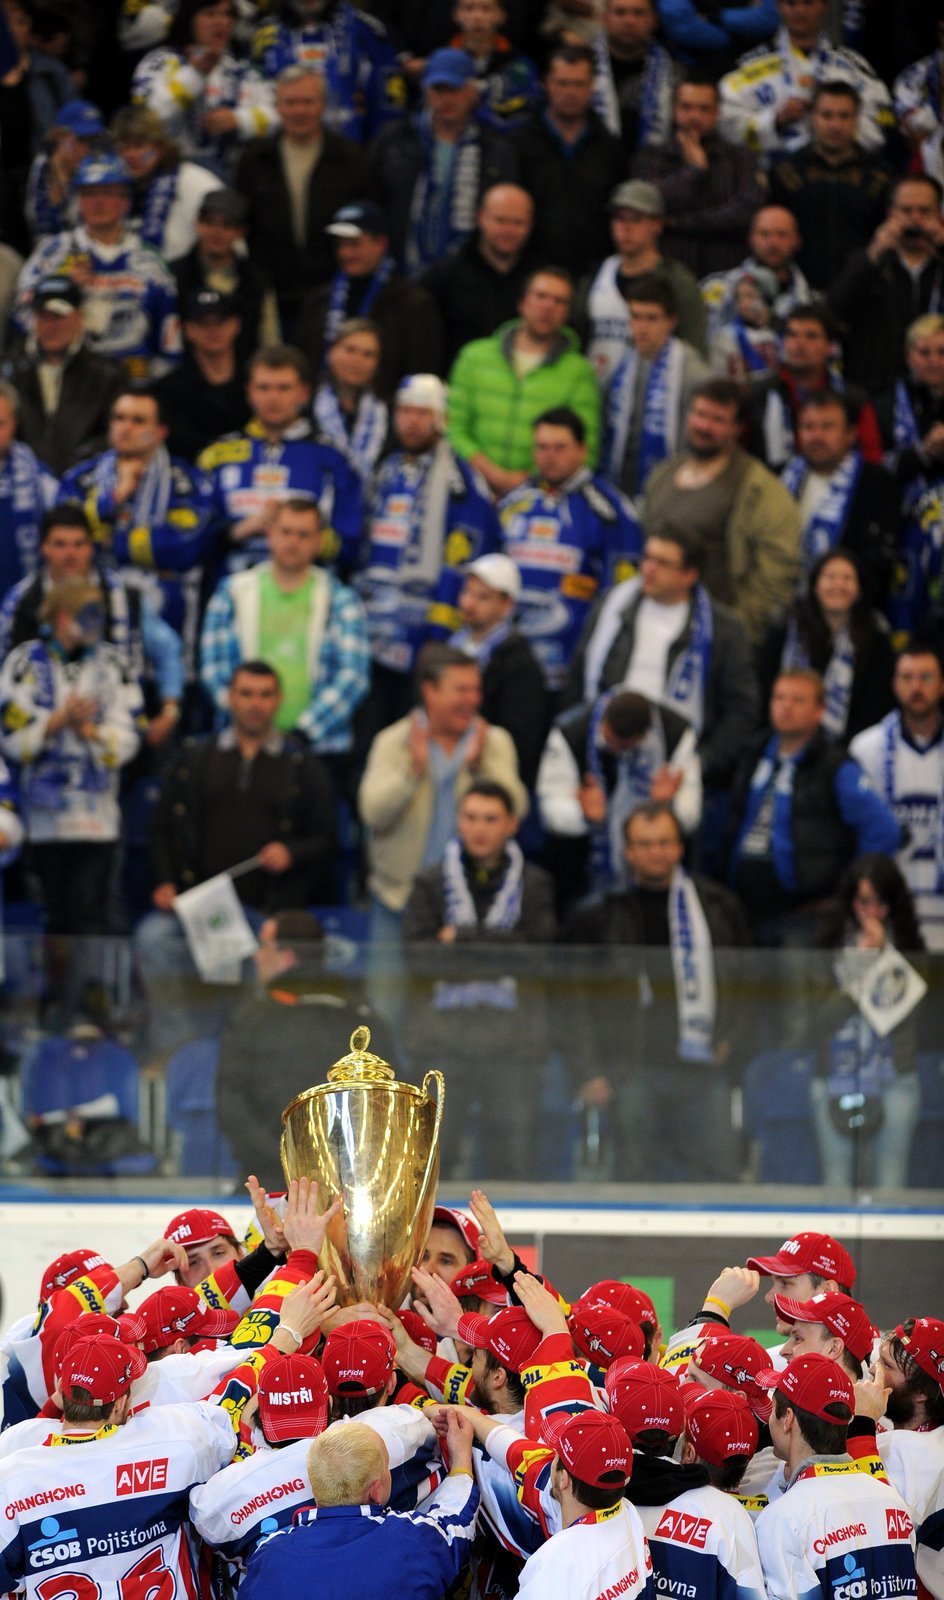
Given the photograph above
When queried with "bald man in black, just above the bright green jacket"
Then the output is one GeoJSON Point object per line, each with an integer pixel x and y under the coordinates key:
{"type": "Point", "coordinates": [481, 286]}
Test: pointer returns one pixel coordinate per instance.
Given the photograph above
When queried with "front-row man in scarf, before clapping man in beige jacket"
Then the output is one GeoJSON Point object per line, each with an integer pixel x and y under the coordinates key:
{"type": "Point", "coordinates": [463, 927]}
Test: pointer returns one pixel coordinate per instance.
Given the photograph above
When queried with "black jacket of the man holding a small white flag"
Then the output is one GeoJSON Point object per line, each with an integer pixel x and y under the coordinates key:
{"type": "Point", "coordinates": [306, 826]}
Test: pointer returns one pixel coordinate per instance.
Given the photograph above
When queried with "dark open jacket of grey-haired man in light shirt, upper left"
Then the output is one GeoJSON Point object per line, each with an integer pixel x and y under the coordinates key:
{"type": "Point", "coordinates": [338, 180]}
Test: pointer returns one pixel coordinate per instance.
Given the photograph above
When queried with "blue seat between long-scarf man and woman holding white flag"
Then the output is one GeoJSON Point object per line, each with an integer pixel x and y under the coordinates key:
{"type": "Point", "coordinates": [778, 1116]}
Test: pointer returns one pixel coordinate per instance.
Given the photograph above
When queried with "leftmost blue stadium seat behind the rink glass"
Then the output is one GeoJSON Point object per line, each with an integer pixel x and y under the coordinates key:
{"type": "Point", "coordinates": [65, 1073]}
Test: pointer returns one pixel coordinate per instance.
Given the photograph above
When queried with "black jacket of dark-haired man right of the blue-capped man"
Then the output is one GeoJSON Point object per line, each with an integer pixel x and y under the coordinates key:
{"type": "Point", "coordinates": [570, 190]}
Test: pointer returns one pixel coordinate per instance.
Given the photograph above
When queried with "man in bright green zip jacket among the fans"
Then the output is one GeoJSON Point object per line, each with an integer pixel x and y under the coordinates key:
{"type": "Point", "coordinates": [500, 386]}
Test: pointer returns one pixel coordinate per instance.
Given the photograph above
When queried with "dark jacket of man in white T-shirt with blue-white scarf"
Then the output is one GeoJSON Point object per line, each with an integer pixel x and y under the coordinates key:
{"type": "Point", "coordinates": [732, 703]}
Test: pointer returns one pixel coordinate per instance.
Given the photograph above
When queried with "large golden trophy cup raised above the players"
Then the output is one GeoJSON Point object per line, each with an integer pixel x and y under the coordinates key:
{"type": "Point", "coordinates": [374, 1142]}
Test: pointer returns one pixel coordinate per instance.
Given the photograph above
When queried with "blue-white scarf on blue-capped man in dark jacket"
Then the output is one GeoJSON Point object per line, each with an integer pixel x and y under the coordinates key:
{"type": "Point", "coordinates": [442, 217]}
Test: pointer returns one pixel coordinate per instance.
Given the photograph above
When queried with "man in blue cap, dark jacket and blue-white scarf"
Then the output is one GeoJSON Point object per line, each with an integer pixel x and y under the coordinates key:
{"type": "Point", "coordinates": [430, 214]}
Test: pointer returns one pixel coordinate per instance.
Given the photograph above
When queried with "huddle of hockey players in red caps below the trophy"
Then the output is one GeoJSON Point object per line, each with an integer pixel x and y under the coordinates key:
{"type": "Point", "coordinates": [239, 1430]}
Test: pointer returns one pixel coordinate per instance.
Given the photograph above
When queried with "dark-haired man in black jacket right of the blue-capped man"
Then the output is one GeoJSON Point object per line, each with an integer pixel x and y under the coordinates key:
{"type": "Point", "coordinates": [570, 164]}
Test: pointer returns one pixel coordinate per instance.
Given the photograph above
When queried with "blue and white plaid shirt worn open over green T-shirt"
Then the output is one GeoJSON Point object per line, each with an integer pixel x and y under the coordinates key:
{"type": "Point", "coordinates": [343, 676]}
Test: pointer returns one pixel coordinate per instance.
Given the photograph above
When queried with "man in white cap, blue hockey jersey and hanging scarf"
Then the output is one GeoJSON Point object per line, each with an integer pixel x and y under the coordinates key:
{"type": "Point", "coordinates": [430, 514]}
